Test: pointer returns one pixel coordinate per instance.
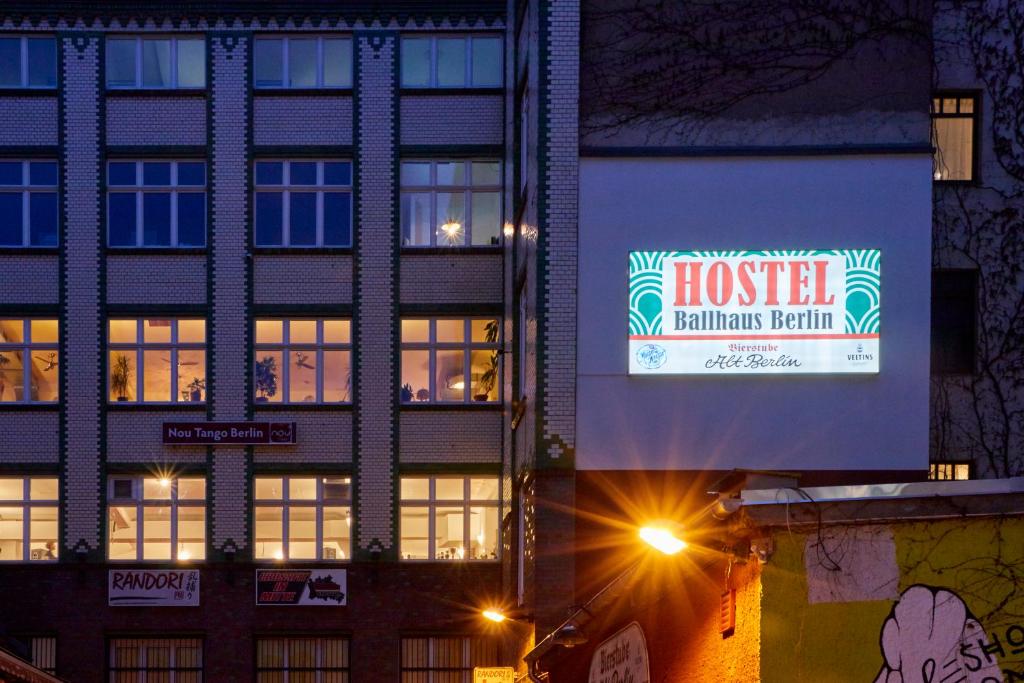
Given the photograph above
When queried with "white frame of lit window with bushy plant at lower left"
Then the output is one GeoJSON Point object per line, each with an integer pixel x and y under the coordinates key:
{"type": "Point", "coordinates": [286, 348]}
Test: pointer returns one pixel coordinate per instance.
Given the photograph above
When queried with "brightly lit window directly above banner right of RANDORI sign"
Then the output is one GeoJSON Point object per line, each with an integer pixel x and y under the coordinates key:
{"type": "Point", "coordinates": [303, 519]}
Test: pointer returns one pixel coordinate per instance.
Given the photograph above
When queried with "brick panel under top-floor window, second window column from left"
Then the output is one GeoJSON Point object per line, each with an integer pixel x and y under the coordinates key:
{"type": "Point", "coordinates": [161, 120]}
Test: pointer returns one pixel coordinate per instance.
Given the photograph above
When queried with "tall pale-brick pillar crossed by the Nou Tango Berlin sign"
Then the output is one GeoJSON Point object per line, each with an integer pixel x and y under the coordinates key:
{"type": "Point", "coordinates": [229, 238]}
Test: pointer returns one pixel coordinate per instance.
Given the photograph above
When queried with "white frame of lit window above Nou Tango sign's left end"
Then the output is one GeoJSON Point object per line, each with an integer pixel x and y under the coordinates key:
{"type": "Point", "coordinates": [173, 348]}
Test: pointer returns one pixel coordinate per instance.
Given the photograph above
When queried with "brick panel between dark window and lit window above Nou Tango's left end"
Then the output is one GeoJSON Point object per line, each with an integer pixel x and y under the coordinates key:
{"type": "Point", "coordinates": [156, 280]}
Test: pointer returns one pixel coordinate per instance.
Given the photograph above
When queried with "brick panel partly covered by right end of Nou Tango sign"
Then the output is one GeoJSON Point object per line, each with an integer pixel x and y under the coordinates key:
{"type": "Point", "coordinates": [325, 438]}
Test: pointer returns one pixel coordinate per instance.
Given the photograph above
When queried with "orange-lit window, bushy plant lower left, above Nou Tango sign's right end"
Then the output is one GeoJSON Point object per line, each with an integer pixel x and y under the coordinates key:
{"type": "Point", "coordinates": [304, 361]}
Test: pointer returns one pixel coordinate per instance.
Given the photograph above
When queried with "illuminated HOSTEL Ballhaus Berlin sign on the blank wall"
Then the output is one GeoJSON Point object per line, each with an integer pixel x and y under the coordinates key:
{"type": "Point", "coordinates": [737, 313]}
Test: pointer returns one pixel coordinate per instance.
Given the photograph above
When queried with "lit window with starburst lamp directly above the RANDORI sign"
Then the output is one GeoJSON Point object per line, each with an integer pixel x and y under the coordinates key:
{"type": "Point", "coordinates": [157, 519]}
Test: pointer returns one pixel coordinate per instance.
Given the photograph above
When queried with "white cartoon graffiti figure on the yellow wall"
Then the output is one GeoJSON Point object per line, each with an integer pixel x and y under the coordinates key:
{"type": "Point", "coordinates": [930, 636]}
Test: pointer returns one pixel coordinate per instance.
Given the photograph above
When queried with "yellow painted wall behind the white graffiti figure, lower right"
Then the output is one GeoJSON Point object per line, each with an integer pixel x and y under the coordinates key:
{"type": "Point", "coordinates": [982, 561]}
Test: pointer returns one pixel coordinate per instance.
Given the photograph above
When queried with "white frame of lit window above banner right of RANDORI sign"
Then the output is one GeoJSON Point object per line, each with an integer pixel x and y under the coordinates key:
{"type": "Point", "coordinates": [286, 503]}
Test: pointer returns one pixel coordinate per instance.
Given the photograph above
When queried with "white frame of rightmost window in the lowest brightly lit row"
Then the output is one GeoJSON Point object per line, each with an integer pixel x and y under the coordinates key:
{"type": "Point", "coordinates": [433, 503]}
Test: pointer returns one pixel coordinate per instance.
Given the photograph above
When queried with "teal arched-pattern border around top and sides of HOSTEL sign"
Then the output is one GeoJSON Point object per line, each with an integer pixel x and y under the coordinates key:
{"type": "Point", "coordinates": [864, 286]}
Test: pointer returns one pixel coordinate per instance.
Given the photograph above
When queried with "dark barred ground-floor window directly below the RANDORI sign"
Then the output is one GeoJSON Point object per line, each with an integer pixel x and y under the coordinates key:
{"type": "Point", "coordinates": [156, 661]}
